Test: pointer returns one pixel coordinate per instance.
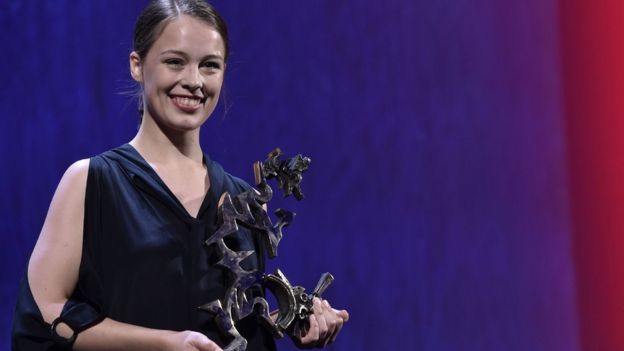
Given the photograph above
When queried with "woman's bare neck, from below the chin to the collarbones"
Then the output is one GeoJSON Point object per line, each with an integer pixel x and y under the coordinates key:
{"type": "Point", "coordinates": [159, 146]}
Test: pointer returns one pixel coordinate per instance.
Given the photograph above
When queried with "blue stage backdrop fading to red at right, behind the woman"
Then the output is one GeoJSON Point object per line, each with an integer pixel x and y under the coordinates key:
{"type": "Point", "coordinates": [465, 187]}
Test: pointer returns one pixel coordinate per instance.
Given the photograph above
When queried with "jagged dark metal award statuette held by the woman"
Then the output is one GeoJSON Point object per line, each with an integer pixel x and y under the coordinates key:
{"type": "Point", "coordinates": [247, 209]}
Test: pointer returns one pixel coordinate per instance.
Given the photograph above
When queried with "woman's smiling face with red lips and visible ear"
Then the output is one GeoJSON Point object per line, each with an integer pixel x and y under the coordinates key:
{"type": "Point", "coordinates": [181, 74]}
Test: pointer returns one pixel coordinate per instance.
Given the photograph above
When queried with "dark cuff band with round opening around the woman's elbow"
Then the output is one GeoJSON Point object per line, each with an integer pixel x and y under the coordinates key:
{"type": "Point", "coordinates": [78, 316]}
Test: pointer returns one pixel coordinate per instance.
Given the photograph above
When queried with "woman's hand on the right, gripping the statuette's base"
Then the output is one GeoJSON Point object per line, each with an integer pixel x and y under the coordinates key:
{"type": "Point", "coordinates": [325, 324]}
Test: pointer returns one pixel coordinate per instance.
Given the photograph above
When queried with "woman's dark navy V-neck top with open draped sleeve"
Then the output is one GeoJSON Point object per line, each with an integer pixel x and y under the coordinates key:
{"type": "Point", "coordinates": [144, 261]}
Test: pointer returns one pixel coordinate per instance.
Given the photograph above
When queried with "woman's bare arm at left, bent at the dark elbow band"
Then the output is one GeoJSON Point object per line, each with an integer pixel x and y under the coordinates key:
{"type": "Point", "coordinates": [53, 274]}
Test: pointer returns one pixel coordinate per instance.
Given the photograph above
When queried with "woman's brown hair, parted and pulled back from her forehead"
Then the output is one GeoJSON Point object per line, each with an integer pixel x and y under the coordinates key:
{"type": "Point", "coordinates": [158, 13]}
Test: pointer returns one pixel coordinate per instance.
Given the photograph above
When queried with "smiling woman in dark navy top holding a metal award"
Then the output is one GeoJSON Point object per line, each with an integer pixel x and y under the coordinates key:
{"type": "Point", "coordinates": [120, 262]}
